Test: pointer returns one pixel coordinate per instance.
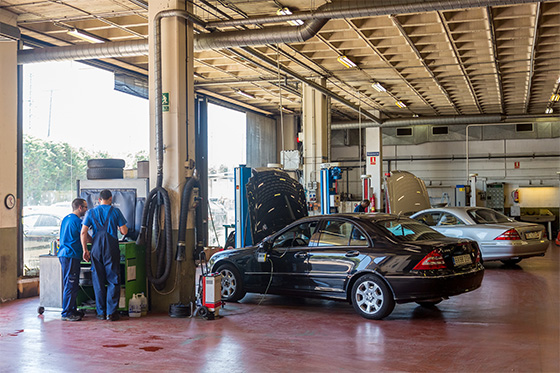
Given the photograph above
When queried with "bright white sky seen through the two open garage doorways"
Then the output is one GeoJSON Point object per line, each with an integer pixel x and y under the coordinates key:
{"type": "Point", "coordinates": [75, 103]}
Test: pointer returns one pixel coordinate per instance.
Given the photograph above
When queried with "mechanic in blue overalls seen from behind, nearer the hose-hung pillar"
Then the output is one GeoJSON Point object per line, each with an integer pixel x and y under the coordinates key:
{"type": "Point", "coordinates": [105, 220]}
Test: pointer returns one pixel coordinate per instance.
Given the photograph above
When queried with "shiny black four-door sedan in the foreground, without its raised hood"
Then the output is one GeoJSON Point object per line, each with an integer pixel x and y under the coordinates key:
{"type": "Point", "coordinates": [371, 260]}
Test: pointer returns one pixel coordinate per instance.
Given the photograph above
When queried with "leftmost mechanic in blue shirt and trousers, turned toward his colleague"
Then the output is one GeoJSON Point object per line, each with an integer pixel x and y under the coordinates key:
{"type": "Point", "coordinates": [69, 255]}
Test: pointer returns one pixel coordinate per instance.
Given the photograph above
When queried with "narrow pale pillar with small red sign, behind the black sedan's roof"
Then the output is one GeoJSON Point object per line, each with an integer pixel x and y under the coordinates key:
{"type": "Point", "coordinates": [374, 162]}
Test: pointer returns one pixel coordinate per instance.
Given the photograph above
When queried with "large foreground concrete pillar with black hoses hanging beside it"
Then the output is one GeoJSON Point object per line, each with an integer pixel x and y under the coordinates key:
{"type": "Point", "coordinates": [178, 138]}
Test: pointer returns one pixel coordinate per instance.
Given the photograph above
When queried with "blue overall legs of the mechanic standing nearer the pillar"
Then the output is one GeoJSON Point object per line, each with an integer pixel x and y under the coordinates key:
{"type": "Point", "coordinates": [105, 269]}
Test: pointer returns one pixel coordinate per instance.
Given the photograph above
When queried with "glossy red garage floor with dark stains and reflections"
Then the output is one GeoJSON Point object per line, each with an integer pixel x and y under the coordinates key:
{"type": "Point", "coordinates": [510, 324]}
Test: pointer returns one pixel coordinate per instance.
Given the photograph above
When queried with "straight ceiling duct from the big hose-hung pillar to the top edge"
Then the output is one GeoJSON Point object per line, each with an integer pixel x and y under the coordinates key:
{"type": "Point", "coordinates": [367, 8]}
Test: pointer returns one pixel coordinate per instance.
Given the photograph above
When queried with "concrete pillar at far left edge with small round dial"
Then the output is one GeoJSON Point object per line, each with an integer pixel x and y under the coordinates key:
{"type": "Point", "coordinates": [8, 164]}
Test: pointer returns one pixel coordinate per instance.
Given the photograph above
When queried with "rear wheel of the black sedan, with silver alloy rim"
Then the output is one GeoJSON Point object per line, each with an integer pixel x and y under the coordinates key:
{"type": "Point", "coordinates": [372, 298]}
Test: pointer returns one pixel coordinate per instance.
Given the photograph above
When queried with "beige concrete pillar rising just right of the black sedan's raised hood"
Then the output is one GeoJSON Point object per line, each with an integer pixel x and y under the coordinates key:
{"type": "Point", "coordinates": [316, 120]}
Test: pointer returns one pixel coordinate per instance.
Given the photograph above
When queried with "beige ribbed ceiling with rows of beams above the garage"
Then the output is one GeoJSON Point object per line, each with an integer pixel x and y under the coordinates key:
{"type": "Point", "coordinates": [440, 58]}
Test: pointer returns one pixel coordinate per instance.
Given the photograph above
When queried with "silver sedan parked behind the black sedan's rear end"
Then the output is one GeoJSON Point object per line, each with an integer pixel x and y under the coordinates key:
{"type": "Point", "coordinates": [499, 237]}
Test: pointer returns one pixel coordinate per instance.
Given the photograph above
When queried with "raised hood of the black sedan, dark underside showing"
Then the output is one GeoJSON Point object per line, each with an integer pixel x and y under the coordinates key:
{"type": "Point", "coordinates": [275, 200]}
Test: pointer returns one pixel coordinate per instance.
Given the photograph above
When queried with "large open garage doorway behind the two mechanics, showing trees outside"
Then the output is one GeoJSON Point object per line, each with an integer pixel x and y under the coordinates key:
{"type": "Point", "coordinates": [71, 113]}
